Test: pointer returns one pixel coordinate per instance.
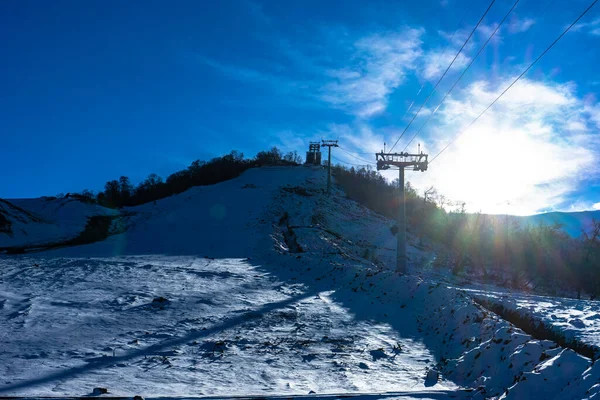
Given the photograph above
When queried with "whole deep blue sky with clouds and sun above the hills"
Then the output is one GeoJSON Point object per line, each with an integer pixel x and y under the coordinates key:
{"type": "Point", "coordinates": [97, 89]}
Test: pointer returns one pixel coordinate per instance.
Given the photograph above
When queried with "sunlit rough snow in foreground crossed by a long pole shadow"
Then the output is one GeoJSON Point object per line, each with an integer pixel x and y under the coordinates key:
{"type": "Point", "coordinates": [225, 327]}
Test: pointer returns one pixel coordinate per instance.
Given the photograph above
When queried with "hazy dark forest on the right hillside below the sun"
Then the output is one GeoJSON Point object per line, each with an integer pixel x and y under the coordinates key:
{"type": "Point", "coordinates": [495, 249]}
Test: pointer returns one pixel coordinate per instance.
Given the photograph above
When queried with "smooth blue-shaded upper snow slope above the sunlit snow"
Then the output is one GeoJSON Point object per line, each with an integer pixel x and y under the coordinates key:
{"type": "Point", "coordinates": [223, 220]}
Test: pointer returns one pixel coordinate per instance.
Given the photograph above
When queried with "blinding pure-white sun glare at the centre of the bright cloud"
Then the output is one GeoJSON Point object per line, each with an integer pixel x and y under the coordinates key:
{"type": "Point", "coordinates": [503, 169]}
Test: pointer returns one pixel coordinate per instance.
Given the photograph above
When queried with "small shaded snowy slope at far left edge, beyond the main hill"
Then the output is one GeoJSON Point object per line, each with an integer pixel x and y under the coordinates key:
{"type": "Point", "coordinates": [32, 222]}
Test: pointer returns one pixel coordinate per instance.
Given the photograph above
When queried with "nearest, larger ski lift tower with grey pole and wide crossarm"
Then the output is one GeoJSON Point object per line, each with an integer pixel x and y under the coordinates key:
{"type": "Point", "coordinates": [401, 160]}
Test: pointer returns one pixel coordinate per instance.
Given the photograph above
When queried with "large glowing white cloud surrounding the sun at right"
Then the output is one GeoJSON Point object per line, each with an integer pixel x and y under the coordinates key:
{"type": "Point", "coordinates": [521, 156]}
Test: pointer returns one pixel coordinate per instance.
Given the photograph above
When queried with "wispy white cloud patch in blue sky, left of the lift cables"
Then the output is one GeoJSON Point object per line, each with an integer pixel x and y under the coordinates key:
{"type": "Point", "coordinates": [381, 63]}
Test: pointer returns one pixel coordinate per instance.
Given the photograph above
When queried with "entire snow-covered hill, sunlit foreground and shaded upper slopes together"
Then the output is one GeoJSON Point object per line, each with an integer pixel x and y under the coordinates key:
{"type": "Point", "coordinates": [261, 285]}
